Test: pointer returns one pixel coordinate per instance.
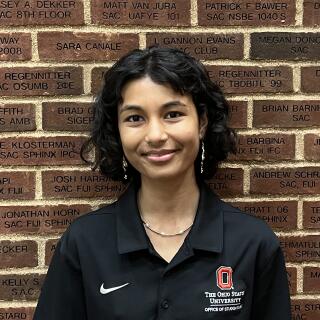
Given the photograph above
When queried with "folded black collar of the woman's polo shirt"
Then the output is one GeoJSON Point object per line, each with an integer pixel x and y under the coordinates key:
{"type": "Point", "coordinates": [205, 234]}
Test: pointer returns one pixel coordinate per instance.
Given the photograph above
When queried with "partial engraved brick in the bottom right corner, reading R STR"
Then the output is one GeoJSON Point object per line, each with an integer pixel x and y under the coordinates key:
{"type": "Point", "coordinates": [305, 309]}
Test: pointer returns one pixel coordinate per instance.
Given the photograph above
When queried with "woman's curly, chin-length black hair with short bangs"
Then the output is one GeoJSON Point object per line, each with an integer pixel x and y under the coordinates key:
{"type": "Point", "coordinates": [185, 75]}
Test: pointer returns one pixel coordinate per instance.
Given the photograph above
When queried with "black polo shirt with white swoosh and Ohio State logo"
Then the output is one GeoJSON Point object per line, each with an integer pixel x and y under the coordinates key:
{"type": "Point", "coordinates": [230, 266]}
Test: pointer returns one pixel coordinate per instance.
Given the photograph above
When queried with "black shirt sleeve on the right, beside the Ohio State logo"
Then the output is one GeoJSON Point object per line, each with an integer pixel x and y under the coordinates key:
{"type": "Point", "coordinates": [271, 298]}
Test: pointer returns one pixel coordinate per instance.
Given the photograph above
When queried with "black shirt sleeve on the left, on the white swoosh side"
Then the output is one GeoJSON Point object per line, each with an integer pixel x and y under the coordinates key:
{"type": "Point", "coordinates": [62, 294]}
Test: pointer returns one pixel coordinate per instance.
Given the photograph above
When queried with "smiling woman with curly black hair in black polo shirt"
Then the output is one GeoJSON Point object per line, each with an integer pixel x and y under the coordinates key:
{"type": "Point", "coordinates": [169, 248]}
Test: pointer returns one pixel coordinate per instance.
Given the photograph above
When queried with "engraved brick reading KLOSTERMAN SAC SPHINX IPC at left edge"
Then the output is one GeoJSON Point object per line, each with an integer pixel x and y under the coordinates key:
{"type": "Point", "coordinates": [41, 151]}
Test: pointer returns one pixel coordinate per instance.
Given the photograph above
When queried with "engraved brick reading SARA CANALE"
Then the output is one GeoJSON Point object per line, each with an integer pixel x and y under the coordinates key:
{"type": "Point", "coordinates": [80, 46]}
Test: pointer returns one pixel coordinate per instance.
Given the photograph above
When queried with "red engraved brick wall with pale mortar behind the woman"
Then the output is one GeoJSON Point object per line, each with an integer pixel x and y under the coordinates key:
{"type": "Point", "coordinates": [264, 54]}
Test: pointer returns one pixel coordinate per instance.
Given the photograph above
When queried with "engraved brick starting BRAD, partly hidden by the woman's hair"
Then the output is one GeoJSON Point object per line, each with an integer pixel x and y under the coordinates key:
{"type": "Point", "coordinates": [67, 116]}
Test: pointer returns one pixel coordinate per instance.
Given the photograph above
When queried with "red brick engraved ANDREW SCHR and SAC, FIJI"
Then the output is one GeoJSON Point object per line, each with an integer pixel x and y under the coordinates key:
{"type": "Point", "coordinates": [302, 180]}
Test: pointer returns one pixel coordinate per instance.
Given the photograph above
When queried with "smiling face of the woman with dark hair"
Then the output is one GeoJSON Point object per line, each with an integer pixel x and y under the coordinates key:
{"type": "Point", "coordinates": [159, 129]}
